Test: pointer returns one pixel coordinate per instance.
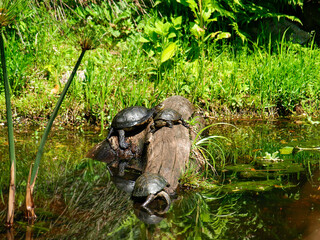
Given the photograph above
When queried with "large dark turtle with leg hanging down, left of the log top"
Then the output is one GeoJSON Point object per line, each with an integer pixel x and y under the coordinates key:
{"type": "Point", "coordinates": [130, 118]}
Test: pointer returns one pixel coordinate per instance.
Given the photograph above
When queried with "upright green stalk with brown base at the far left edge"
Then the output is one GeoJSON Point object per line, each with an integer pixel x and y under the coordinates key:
{"type": "Point", "coordinates": [12, 188]}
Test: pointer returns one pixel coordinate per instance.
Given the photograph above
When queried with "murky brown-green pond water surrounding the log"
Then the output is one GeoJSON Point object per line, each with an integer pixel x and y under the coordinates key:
{"type": "Point", "coordinates": [257, 194]}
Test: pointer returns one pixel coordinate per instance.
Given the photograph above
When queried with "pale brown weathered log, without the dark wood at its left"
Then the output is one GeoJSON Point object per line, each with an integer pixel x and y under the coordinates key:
{"type": "Point", "coordinates": [168, 152]}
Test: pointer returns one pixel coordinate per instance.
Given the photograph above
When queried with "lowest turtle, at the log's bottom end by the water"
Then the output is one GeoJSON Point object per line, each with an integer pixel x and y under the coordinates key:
{"type": "Point", "coordinates": [151, 185]}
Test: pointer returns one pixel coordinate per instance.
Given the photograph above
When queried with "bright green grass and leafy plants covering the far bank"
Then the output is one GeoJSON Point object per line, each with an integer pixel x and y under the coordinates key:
{"type": "Point", "coordinates": [150, 53]}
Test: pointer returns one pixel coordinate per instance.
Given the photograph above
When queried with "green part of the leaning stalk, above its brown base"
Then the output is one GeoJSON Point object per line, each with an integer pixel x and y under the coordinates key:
{"type": "Point", "coordinates": [53, 116]}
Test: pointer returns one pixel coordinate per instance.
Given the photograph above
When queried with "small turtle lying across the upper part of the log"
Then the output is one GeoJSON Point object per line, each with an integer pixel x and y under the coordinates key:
{"type": "Point", "coordinates": [167, 117]}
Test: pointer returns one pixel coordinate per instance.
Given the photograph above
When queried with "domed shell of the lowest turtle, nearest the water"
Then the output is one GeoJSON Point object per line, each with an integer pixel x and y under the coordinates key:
{"type": "Point", "coordinates": [149, 183]}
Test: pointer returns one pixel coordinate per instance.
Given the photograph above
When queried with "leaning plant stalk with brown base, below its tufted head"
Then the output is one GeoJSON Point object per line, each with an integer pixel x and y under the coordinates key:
{"type": "Point", "coordinates": [30, 205]}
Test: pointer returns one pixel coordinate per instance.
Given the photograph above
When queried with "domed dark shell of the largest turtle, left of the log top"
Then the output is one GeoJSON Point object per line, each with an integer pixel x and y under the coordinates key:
{"type": "Point", "coordinates": [132, 116]}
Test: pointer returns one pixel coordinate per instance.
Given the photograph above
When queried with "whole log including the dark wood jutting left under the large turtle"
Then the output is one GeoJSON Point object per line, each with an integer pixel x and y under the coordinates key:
{"type": "Point", "coordinates": [166, 151]}
